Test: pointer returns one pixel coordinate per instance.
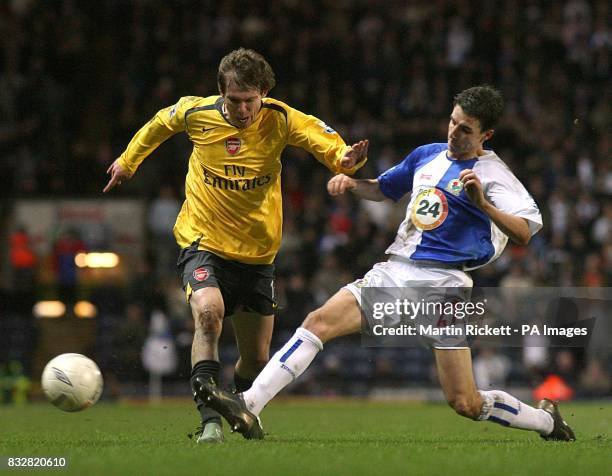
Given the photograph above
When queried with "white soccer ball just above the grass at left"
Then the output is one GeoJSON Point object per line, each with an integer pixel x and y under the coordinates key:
{"type": "Point", "coordinates": [72, 382]}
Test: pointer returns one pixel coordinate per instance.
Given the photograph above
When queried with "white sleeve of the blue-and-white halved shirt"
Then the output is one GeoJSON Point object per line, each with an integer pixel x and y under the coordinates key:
{"type": "Point", "coordinates": [509, 195]}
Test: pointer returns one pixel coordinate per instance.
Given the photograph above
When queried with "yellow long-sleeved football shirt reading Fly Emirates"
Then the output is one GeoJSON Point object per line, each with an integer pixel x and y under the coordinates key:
{"type": "Point", "coordinates": [233, 204]}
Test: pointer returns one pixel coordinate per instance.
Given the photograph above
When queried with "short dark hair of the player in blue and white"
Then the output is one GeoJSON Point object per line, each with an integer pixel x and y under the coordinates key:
{"type": "Point", "coordinates": [484, 103]}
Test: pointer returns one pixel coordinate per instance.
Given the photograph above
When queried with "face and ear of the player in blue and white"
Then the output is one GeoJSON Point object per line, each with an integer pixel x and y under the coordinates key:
{"type": "Point", "coordinates": [465, 138]}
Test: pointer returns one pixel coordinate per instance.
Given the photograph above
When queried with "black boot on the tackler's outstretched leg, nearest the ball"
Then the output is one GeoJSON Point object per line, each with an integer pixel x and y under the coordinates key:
{"type": "Point", "coordinates": [231, 407]}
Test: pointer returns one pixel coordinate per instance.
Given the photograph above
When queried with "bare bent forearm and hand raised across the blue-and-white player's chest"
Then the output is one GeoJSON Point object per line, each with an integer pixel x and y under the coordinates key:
{"type": "Point", "coordinates": [516, 227]}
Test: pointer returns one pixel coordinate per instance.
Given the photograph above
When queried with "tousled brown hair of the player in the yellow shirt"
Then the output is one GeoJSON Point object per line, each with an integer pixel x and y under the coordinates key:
{"type": "Point", "coordinates": [247, 69]}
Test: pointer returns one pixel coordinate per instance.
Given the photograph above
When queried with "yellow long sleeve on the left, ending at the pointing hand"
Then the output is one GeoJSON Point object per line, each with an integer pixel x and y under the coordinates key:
{"type": "Point", "coordinates": [164, 124]}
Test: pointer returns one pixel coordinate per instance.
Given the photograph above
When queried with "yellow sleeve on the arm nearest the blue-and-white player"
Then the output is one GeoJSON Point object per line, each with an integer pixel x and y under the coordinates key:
{"type": "Point", "coordinates": [316, 137]}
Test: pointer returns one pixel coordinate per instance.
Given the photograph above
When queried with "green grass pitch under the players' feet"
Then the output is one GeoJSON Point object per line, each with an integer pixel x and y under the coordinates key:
{"type": "Point", "coordinates": [305, 437]}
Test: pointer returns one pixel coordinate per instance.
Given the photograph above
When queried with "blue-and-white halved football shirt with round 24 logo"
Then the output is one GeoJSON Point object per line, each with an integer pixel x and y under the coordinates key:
{"type": "Point", "coordinates": [442, 224]}
